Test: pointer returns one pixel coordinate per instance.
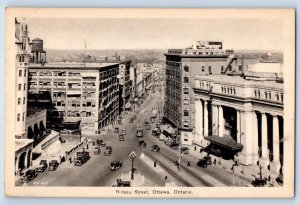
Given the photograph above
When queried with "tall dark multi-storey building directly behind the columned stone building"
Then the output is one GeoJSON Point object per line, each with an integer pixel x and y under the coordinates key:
{"type": "Point", "coordinates": [202, 58]}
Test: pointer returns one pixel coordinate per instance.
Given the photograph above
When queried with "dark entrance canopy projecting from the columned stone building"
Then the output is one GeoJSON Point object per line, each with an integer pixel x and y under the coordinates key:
{"type": "Point", "coordinates": [226, 142]}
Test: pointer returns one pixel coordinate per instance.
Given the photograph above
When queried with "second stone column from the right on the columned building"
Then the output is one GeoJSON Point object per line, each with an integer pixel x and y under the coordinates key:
{"type": "Point", "coordinates": [264, 139]}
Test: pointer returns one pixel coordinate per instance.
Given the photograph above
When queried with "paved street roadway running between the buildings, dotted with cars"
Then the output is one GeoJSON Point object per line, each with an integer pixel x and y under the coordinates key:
{"type": "Point", "coordinates": [96, 172]}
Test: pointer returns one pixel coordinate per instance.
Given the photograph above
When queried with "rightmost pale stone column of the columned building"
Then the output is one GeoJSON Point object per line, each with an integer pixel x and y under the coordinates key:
{"type": "Point", "coordinates": [276, 159]}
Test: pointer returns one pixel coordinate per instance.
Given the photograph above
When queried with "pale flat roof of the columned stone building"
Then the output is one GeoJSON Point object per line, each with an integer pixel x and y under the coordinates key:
{"type": "Point", "coordinates": [238, 80]}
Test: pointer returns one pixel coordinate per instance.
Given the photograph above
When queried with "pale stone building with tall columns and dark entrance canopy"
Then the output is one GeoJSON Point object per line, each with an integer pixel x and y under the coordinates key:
{"type": "Point", "coordinates": [241, 114]}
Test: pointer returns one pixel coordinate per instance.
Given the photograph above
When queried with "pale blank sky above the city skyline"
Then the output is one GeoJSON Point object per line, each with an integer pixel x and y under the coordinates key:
{"type": "Point", "coordinates": [258, 34]}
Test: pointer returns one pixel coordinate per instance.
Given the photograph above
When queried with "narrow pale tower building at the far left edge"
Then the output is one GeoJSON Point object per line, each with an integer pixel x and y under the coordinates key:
{"type": "Point", "coordinates": [23, 146]}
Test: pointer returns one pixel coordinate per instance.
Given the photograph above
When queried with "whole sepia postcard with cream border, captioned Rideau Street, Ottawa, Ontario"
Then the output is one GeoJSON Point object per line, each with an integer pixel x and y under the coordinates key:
{"type": "Point", "coordinates": [150, 103]}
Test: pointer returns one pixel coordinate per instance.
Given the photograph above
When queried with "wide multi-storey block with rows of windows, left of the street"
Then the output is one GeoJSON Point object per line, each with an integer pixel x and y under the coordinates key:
{"type": "Point", "coordinates": [86, 93]}
